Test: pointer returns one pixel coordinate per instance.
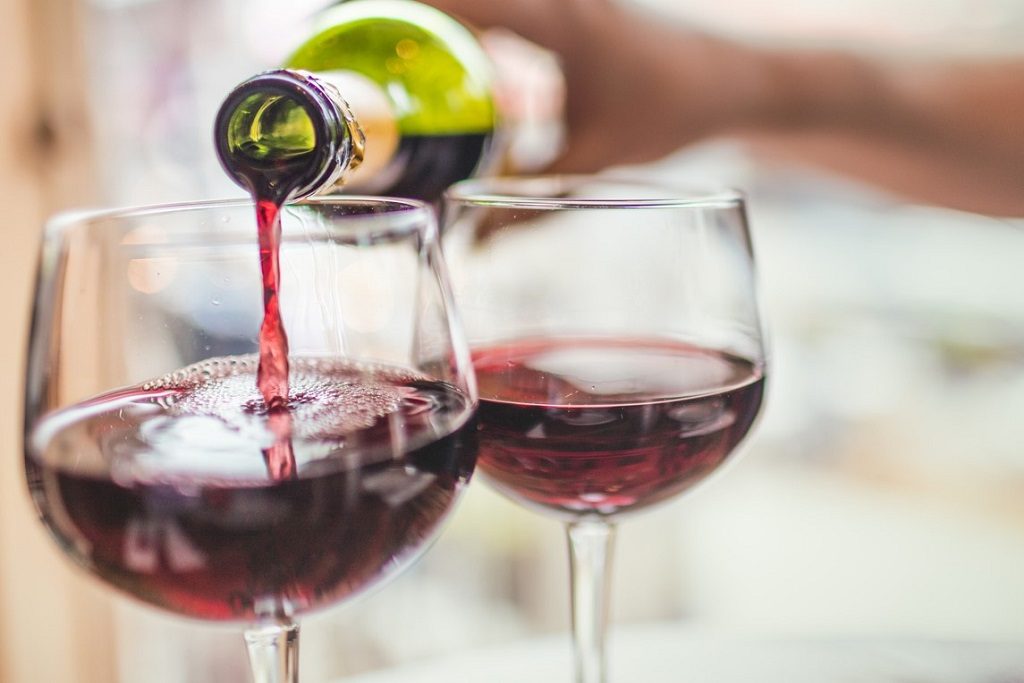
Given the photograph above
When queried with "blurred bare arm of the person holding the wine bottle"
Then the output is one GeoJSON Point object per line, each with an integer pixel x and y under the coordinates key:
{"type": "Point", "coordinates": [947, 133]}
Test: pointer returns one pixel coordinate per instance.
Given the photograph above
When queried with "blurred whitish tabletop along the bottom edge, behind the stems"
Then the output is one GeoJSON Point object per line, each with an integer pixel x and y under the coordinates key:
{"type": "Point", "coordinates": [669, 654]}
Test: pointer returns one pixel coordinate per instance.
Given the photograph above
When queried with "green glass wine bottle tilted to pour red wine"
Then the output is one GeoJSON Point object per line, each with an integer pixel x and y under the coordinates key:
{"type": "Point", "coordinates": [388, 97]}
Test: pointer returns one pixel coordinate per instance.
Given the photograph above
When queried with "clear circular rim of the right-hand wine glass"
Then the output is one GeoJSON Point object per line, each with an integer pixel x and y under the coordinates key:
{"type": "Point", "coordinates": [517, 193]}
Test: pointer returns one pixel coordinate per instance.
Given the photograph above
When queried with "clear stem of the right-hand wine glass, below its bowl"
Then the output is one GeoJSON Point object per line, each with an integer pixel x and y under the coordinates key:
{"type": "Point", "coordinates": [590, 566]}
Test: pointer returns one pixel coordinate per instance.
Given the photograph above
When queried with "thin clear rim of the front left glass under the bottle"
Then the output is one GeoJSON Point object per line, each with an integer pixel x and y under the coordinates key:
{"type": "Point", "coordinates": [67, 220]}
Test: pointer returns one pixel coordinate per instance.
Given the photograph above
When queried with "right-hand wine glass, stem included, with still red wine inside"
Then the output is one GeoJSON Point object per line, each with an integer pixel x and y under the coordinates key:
{"type": "Point", "coordinates": [618, 348]}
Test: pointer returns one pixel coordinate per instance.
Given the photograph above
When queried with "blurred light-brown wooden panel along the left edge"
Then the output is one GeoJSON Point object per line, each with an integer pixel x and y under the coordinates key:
{"type": "Point", "coordinates": [56, 625]}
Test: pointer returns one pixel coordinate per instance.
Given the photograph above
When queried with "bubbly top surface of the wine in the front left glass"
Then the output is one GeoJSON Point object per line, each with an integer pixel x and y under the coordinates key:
{"type": "Point", "coordinates": [209, 422]}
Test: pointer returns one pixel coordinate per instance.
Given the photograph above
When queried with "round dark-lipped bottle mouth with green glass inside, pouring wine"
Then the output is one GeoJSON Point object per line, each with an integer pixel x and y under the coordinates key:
{"type": "Point", "coordinates": [280, 135]}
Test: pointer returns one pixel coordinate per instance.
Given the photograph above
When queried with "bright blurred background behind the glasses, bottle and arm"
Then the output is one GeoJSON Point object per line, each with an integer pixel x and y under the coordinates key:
{"type": "Point", "coordinates": [881, 496]}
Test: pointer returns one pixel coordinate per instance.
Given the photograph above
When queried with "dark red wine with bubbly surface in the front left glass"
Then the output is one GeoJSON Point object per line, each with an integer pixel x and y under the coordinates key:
{"type": "Point", "coordinates": [160, 489]}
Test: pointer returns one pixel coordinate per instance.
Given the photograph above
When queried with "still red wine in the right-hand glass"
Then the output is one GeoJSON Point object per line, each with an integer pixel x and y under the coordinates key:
{"type": "Point", "coordinates": [609, 426]}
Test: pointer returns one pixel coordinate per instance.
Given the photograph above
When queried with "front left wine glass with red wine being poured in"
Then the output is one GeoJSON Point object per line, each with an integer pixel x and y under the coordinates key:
{"type": "Point", "coordinates": [149, 448]}
